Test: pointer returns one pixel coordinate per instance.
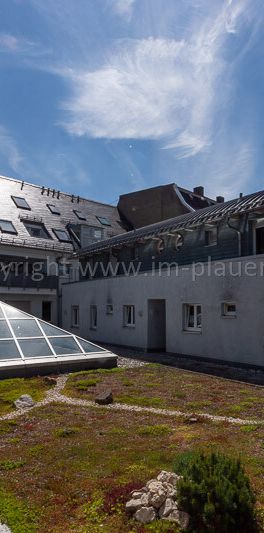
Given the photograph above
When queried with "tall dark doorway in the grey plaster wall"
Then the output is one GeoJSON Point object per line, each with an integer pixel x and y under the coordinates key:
{"type": "Point", "coordinates": [157, 325]}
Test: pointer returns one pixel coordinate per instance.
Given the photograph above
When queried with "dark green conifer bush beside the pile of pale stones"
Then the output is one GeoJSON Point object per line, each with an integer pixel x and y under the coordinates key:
{"type": "Point", "coordinates": [216, 492]}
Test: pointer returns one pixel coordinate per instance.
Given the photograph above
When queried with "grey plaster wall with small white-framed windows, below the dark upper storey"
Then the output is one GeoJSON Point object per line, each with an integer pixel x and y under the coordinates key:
{"type": "Point", "coordinates": [239, 339]}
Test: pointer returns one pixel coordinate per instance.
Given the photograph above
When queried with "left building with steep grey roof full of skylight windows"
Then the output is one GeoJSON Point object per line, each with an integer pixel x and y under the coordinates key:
{"type": "Point", "coordinates": [40, 228]}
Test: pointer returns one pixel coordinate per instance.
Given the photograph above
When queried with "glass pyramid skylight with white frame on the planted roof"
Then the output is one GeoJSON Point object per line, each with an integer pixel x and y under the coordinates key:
{"type": "Point", "coordinates": [27, 341]}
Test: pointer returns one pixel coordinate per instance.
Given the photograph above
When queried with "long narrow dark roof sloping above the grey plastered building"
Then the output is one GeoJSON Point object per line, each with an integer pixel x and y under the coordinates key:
{"type": "Point", "coordinates": [210, 214]}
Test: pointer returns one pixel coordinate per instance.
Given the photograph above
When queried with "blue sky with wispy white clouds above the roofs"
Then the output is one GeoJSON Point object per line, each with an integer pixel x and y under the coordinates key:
{"type": "Point", "coordinates": [103, 97]}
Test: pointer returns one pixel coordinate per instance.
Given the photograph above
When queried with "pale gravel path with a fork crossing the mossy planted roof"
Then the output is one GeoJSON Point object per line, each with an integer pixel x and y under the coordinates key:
{"type": "Point", "coordinates": [54, 395]}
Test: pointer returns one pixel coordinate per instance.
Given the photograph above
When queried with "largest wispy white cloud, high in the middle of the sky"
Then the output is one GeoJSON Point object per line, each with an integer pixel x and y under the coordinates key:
{"type": "Point", "coordinates": [155, 88]}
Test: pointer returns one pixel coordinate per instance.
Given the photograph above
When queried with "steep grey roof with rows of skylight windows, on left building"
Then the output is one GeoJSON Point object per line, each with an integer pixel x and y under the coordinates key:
{"type": "Point", "coordinates": [37, 198]}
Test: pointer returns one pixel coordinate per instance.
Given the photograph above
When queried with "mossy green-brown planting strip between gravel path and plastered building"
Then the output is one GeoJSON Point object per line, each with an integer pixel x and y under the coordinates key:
{"type": "Point", "coordinates": [164, 387]}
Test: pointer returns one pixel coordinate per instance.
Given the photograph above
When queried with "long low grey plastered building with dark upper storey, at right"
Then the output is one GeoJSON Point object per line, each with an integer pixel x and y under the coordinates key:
{"type": "Point", "coordinates": [191, 284]}
